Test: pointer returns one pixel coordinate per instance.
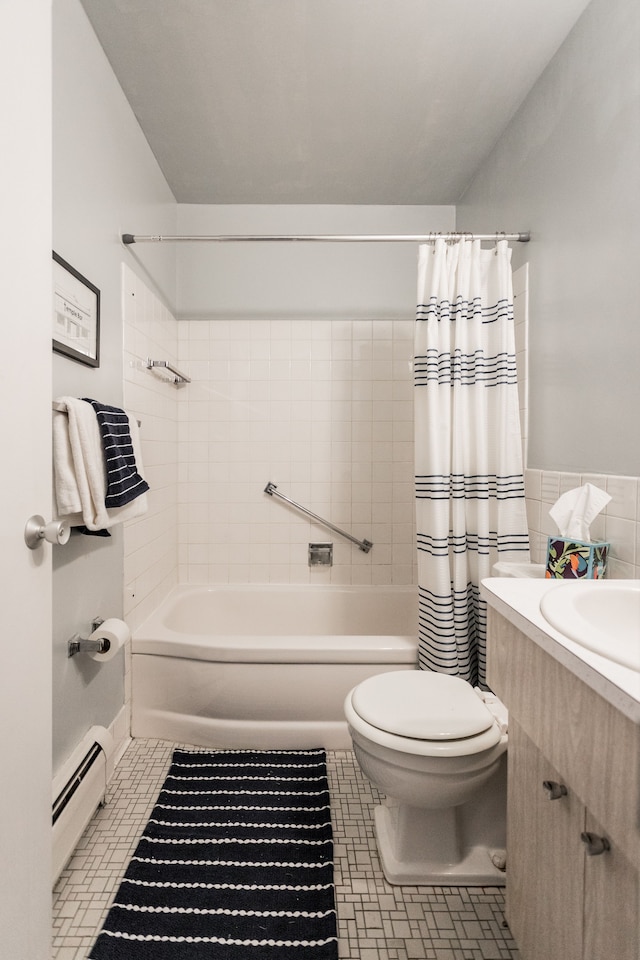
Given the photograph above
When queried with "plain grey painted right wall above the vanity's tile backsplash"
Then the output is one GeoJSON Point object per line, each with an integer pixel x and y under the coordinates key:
{"type": "Point", "coordinates": [567, 169]}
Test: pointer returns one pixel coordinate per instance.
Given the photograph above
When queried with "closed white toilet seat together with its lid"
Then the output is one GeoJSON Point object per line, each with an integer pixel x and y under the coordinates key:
{"type": "Point", "coordinates": [425, 713]}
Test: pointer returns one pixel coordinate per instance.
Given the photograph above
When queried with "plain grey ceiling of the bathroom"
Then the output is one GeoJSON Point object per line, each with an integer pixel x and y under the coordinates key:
{"type": "Point", "coordinates": [326, 101]}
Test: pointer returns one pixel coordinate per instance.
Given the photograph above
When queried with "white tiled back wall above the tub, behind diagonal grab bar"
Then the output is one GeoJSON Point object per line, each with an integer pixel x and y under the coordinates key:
{"type": "Point", "coordinates": [323, 409]}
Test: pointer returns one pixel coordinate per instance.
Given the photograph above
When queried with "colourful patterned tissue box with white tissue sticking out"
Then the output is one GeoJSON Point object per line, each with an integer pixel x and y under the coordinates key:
{"type": "Point", "coordinates": [572, 555]}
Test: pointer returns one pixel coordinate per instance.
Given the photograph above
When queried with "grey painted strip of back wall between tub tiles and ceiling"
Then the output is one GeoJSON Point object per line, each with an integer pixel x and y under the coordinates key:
{"type": "Point", "coordinates": [356, 281]}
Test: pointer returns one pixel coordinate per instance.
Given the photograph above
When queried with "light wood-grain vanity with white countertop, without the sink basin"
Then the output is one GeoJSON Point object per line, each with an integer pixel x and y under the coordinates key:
{"type": "Point", "coordinates": [573, 810]}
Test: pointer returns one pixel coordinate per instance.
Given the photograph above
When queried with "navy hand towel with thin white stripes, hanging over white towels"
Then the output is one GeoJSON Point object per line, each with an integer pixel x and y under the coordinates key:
{"type": "Point", "coordinates": [124, 483]}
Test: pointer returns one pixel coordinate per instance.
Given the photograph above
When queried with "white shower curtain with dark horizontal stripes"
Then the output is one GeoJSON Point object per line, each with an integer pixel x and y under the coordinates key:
{"type": "Point", "coordinates": [470, 507]}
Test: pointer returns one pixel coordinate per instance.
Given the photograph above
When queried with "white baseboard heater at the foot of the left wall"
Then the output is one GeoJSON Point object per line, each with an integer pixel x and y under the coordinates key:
{"type": "Point", "coordinates": [79, 788]}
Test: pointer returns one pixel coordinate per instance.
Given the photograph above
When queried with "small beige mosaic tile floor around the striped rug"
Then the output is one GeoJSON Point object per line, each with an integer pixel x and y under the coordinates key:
{"type": "Point", "coordinates": [376, 921]}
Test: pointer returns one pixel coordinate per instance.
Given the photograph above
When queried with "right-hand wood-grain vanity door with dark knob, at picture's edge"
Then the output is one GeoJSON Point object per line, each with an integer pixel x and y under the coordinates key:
{"type": "Point", "coordinates": [611, 903]}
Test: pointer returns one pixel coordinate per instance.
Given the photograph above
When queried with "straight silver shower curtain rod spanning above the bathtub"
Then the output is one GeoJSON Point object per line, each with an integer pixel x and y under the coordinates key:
{"type": "Point", "coordinates": [129, 238]}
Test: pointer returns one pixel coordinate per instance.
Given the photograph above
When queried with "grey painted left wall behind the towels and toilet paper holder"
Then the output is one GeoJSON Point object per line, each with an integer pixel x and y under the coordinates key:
{"type": "Point", "coordinates": [106, 182]}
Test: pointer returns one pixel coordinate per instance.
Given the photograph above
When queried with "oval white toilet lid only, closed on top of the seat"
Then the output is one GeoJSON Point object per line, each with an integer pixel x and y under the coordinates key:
{"type": "Point", "coordinates": [421, 705]}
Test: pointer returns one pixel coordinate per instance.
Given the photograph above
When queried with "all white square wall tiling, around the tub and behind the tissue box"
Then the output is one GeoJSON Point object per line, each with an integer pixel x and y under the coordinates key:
{"type": "Point", "coordinates": [324, 409]}
